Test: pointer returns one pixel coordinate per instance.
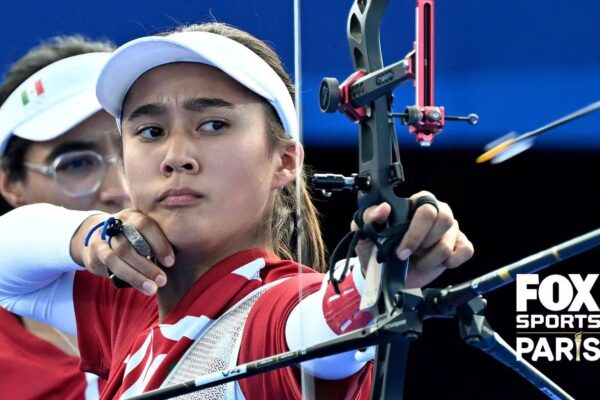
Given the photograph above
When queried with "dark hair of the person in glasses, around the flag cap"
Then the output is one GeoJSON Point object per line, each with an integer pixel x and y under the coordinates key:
{"type": "Point", "coordinates": [48, 52]}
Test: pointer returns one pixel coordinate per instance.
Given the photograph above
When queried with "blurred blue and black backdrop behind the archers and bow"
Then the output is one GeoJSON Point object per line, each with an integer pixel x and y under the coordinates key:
{"type": "Point", "coordinates": [517, 64]}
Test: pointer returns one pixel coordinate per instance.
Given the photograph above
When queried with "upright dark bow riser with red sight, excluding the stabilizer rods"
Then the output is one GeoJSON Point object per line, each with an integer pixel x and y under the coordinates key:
{"type": "Point", "coordinates": [366, 98]}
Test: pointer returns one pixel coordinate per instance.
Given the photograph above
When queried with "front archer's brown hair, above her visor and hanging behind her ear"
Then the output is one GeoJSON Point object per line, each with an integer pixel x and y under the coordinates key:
{"type": "Point", "coordinates": [295, 218]}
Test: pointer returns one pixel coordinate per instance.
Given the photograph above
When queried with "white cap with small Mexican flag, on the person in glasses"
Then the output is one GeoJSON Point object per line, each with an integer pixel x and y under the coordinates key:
{"type": "Point", "coordinates": [53, 100]}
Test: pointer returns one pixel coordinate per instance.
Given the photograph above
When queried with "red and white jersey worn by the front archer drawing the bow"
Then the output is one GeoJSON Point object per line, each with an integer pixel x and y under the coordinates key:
{"type": "Point", "coordinates": [122, 340]}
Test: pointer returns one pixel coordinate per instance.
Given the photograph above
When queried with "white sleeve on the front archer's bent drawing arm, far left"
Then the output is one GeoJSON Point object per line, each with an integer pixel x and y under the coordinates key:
{"type": "Point", "coordinates": [36, 268]}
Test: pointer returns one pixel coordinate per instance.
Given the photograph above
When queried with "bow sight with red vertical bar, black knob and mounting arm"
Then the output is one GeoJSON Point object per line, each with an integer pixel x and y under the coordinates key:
{"type": "Point", "coordinates": [354, 95]}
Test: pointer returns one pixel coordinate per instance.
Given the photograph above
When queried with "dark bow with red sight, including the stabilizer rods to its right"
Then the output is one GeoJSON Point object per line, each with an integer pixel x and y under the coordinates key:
{"type": "Point", "coordinates": [366, 98]}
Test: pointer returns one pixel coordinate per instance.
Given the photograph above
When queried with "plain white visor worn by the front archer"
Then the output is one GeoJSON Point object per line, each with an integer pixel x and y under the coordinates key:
{"type": "Point", "coordinates": [134, 58]}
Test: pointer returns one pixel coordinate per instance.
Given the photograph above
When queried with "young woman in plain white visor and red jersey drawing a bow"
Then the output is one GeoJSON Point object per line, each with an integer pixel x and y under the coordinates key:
{"type": "Point", "coordinates": [211, 158]}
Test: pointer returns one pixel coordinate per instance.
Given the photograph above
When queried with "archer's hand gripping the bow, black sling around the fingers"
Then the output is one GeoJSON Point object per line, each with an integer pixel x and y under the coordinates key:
{"type": "Point", "coordinates": [432, 243]}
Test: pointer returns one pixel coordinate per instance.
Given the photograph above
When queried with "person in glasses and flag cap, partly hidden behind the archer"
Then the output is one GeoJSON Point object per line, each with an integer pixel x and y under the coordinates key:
{"type": "Point", "coordinates": [55, 148]}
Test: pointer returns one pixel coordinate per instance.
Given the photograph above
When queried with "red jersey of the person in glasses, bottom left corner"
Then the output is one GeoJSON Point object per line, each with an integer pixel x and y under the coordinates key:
{"type": "Point", "coordinates": [32, 368]}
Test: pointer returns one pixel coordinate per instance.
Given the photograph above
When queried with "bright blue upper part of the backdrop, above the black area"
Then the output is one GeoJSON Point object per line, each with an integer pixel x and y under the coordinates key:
{"type": "Point", "coordinates": [518, 64]}
